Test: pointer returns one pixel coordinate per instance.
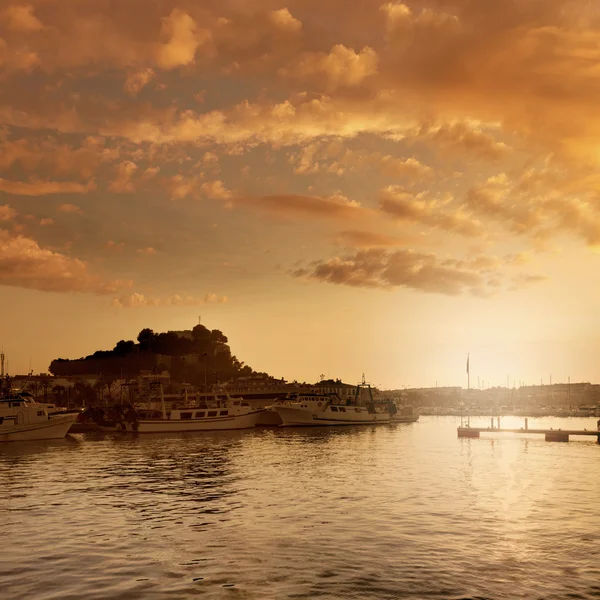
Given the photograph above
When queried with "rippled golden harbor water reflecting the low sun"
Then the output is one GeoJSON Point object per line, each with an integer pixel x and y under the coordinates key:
{"type": "Point", "coordinates": [389, 511]}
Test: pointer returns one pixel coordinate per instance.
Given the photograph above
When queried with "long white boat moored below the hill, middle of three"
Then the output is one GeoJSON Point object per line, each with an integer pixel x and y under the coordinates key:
{"type": "Point", "coordinates": [219, 413]}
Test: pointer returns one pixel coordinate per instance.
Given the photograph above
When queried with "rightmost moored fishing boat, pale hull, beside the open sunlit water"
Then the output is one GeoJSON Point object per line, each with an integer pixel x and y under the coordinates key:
{"type": "Point", "coordinates": [330, 409]}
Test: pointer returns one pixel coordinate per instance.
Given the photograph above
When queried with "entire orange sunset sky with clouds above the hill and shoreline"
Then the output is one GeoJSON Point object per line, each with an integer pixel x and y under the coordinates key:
{"type": "Point", "coordinates": [340, 187]}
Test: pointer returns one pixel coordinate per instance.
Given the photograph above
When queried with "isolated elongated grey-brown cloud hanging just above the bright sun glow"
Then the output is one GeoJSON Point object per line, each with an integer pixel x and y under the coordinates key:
{"type": "Point", "coordinates": [376, 268]}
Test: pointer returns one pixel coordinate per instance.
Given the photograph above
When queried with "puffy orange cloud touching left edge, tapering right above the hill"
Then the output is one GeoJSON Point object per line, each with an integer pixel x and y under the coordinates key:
{"type": "Point", "coordinates": [23, 263]}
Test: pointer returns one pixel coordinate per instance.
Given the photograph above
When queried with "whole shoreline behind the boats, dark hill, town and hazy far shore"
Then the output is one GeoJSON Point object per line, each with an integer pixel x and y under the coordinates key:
{"type": "Point", "coordinates": [193, 362]}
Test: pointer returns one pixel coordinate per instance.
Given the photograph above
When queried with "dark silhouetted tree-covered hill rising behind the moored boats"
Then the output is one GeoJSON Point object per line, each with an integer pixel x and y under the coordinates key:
{"type": "Point", "coordinates": [195, 356]}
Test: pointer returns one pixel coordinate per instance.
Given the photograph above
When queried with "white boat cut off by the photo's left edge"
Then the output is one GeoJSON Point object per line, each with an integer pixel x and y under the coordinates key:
{"type": "Point", "coordinates": [23, 419]}
